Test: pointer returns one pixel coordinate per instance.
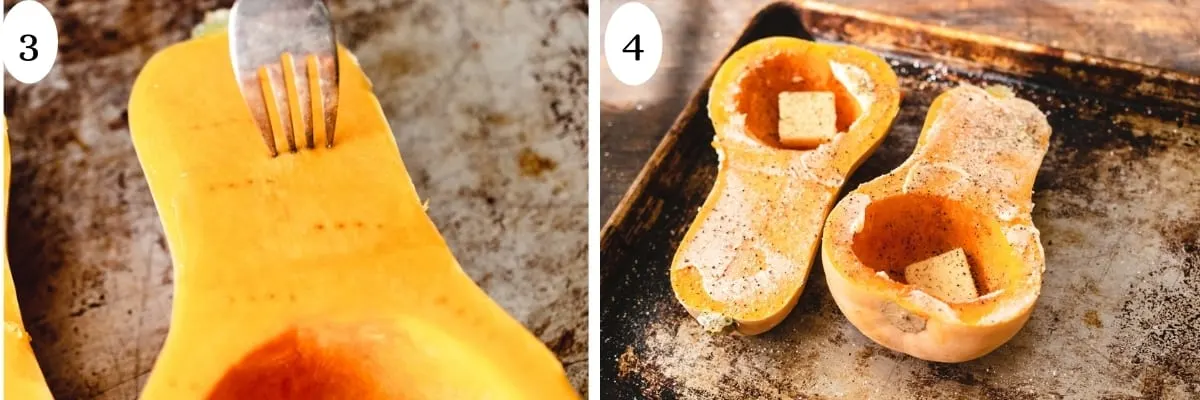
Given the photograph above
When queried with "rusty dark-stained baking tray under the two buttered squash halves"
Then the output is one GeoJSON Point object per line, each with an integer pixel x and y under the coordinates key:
{"type": "Point", "coordinates": [1117, 201]}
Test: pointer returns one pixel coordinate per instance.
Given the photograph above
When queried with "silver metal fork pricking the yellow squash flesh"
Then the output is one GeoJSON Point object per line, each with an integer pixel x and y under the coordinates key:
{"type": "Point", "coordinates": [281, 47]}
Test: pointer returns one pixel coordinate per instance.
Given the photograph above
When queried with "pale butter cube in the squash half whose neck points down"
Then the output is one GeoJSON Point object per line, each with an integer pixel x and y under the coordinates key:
{"type": "Point", "coordinates": [807, 120]}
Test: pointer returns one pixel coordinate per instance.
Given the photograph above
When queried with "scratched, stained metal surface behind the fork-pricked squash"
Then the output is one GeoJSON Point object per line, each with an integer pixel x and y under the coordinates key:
{"type": "Point", "coordinates": [488, 100]}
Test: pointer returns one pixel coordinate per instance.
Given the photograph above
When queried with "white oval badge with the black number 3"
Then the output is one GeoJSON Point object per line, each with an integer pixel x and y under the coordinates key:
{"type": "Point", "coordinates": [29, 41]}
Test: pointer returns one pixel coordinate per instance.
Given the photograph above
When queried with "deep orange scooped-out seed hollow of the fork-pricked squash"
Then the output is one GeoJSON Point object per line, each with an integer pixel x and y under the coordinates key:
{"type": "Point", "coordinates": [297, 366]}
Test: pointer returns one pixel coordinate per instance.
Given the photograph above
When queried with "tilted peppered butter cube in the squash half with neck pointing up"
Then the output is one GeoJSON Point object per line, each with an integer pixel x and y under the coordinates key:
{"type": "Point", "coordinates": [946, 277]}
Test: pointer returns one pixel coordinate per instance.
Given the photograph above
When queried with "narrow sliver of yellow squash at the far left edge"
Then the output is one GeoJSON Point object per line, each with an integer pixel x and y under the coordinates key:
{"type": "Point", "coordinates": [22, 377]}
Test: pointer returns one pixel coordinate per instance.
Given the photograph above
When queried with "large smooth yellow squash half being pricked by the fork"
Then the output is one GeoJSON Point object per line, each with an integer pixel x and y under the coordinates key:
{"type": "Point", "coordinates": [316, 274]}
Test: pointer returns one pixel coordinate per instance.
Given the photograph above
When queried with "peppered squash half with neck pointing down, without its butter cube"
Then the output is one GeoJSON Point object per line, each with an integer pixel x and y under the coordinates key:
{"type": "Point", "coordinates": [745, 260]}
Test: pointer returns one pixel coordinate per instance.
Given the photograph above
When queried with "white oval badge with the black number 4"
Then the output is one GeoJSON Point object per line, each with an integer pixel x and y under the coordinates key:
{"type": "Point", "coordinates": [633, 44]}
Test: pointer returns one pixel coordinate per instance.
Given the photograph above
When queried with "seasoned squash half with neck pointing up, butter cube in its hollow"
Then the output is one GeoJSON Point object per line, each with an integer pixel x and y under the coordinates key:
{"type": "Point", "coordinates": [890, 247]}
